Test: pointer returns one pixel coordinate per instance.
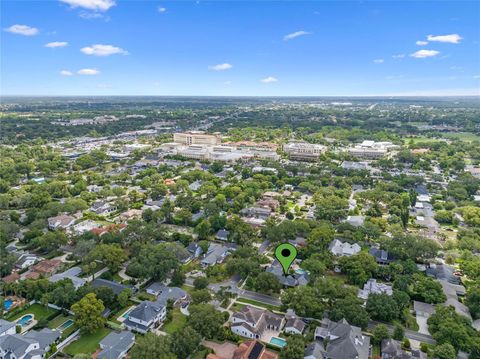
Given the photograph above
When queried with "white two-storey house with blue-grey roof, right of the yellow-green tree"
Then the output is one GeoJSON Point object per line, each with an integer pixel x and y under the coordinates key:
{"type": "Point", "coordinates": [145, 316]}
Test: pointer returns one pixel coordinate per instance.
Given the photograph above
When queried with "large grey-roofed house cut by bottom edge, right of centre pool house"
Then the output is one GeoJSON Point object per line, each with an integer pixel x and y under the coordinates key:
{"type": "Point", "coordinates": [340, 340]}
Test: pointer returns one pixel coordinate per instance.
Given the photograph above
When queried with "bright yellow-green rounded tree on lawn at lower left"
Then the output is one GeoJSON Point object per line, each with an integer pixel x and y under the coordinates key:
{"type": "Point", "coordinates": [88, 313]}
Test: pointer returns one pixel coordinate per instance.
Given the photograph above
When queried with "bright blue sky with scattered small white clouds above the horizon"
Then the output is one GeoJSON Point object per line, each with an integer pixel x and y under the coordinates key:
{"type": "Point", "coordinates": [244, 48]}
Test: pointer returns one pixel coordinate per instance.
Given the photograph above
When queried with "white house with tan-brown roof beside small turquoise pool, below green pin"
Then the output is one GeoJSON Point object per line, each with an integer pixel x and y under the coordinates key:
{"type": "Point", "coordinates": [251, 322]}
